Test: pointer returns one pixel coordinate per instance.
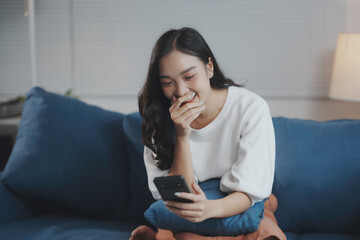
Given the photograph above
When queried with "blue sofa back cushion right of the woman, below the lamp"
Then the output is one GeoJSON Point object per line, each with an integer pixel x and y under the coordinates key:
{"type": "Point", "coordinates": [317, 178]}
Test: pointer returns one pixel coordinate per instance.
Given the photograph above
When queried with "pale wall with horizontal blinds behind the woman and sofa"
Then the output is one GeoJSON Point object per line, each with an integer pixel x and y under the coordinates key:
{"type": "Point", "coordinates": [101, 49]}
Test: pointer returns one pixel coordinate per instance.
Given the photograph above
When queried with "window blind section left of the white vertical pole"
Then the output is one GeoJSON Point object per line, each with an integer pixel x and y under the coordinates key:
{"type": "Point", "coordinates": [15, 75]}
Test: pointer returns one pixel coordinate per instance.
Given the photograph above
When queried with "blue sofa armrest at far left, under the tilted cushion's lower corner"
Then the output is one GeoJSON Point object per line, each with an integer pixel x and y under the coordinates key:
{"type": "Point", "coordinates": [11, 207]}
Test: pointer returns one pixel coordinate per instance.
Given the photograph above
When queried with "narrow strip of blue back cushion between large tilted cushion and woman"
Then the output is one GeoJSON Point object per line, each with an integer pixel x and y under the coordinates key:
{"type": "Point", "coordinates": [140, 197]}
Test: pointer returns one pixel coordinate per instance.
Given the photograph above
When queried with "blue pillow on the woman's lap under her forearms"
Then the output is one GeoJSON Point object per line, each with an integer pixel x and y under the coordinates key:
{"type": "Point", "coordinates": [243, 223]}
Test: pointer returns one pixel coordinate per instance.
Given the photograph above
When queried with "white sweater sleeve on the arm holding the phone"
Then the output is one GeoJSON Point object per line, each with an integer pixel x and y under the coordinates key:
{"type": "Point", "coordinates": [253, 171]}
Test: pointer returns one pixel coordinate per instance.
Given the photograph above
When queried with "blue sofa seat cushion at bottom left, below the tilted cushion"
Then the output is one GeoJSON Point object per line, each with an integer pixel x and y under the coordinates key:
{"type": "Point", "coordinates": [60, 227]}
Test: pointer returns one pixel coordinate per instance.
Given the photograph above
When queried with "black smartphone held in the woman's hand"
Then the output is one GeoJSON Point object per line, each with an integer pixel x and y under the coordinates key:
{"type": "Point", "coordinates": [169, 185]}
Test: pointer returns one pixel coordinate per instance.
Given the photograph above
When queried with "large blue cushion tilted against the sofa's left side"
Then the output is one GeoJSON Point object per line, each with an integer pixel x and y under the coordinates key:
{"type": "Point", "coordinates": [70, 153]}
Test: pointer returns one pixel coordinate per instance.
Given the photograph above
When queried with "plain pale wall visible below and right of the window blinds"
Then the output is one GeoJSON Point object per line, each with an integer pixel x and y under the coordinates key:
{"type": "Point", "coordinates": [320, 108]}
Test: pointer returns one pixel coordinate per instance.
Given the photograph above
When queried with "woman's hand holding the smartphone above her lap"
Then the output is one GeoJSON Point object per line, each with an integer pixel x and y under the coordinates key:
{"type": "Point", "coordinates": [198, 211]}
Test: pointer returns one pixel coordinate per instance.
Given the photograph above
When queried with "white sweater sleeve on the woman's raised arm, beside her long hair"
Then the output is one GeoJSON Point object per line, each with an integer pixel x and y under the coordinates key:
{"type": "Point", "coordinates": [152, 171]}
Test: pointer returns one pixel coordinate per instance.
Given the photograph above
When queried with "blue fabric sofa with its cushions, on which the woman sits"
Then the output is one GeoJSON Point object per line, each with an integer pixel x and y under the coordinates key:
{"type": "Point", "coordinates": [76, 172]}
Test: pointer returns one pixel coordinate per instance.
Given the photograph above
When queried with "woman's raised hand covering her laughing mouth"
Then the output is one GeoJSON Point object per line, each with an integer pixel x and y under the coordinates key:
{"type": "Point", "coordinates": [183, 113]}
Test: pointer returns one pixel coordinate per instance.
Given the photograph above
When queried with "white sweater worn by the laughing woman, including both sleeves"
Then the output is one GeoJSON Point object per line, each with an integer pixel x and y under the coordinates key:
{"type": "Point", "coordinates": [238, 146]}
